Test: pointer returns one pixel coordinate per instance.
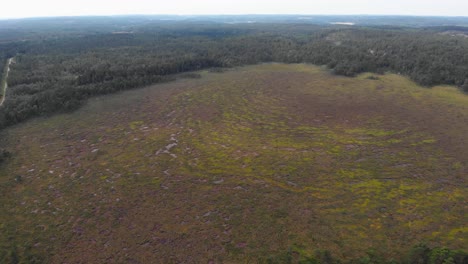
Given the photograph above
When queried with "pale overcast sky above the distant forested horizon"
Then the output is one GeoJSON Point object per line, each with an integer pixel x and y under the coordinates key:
{"type": "Point", "coordinates": [34, 8]}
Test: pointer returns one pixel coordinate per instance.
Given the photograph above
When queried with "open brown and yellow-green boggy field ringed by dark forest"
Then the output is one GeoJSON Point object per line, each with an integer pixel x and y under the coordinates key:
{"type": "Point", "coordinates": [239, 166]}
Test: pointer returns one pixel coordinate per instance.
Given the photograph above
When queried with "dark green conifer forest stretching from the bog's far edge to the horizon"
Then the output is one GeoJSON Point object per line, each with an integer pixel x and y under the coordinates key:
{"type": "Point", "coordinates": [58, 65]}
